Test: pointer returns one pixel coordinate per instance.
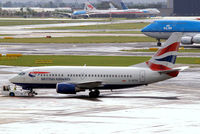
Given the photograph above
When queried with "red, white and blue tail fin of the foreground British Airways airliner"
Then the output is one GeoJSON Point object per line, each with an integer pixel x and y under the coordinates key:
{"type": "Point", "coordinates": [165, 57]}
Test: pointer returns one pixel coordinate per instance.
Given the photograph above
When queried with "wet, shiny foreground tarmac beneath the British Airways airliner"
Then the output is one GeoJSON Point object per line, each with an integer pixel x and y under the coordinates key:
{"type": "Point", "coordinates": [167, 107]}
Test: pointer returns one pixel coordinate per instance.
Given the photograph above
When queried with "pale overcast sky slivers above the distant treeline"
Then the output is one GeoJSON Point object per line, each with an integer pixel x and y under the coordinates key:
{"type": "Point", "coordinates": [134, 1]}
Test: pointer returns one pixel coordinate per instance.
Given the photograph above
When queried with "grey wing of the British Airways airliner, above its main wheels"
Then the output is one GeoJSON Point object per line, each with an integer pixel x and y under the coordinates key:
{"type": "Point", "coordinates": [88, 84]}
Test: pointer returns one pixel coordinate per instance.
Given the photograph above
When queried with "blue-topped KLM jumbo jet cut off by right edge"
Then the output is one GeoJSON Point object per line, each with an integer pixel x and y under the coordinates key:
{"type": "Point", "coordinates": [162, 29]}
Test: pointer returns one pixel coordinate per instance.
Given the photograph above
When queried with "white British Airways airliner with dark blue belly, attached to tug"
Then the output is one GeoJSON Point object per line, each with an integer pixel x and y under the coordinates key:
{"type": "Point", "coordinates": [73, 79]}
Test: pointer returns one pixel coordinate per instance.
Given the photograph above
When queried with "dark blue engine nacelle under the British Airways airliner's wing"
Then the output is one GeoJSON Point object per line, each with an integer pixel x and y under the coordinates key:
{"type": "Point", "coordinates": [64, 88]}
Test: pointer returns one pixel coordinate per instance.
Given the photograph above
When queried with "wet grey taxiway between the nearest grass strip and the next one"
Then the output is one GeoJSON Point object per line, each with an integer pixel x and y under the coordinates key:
{"type": "Point", "coordinates": [108, 49]}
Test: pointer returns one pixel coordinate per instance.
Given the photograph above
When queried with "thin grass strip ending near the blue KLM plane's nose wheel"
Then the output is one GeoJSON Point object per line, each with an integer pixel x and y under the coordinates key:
{"type": "Point", "coordinates": [88, 39]}
